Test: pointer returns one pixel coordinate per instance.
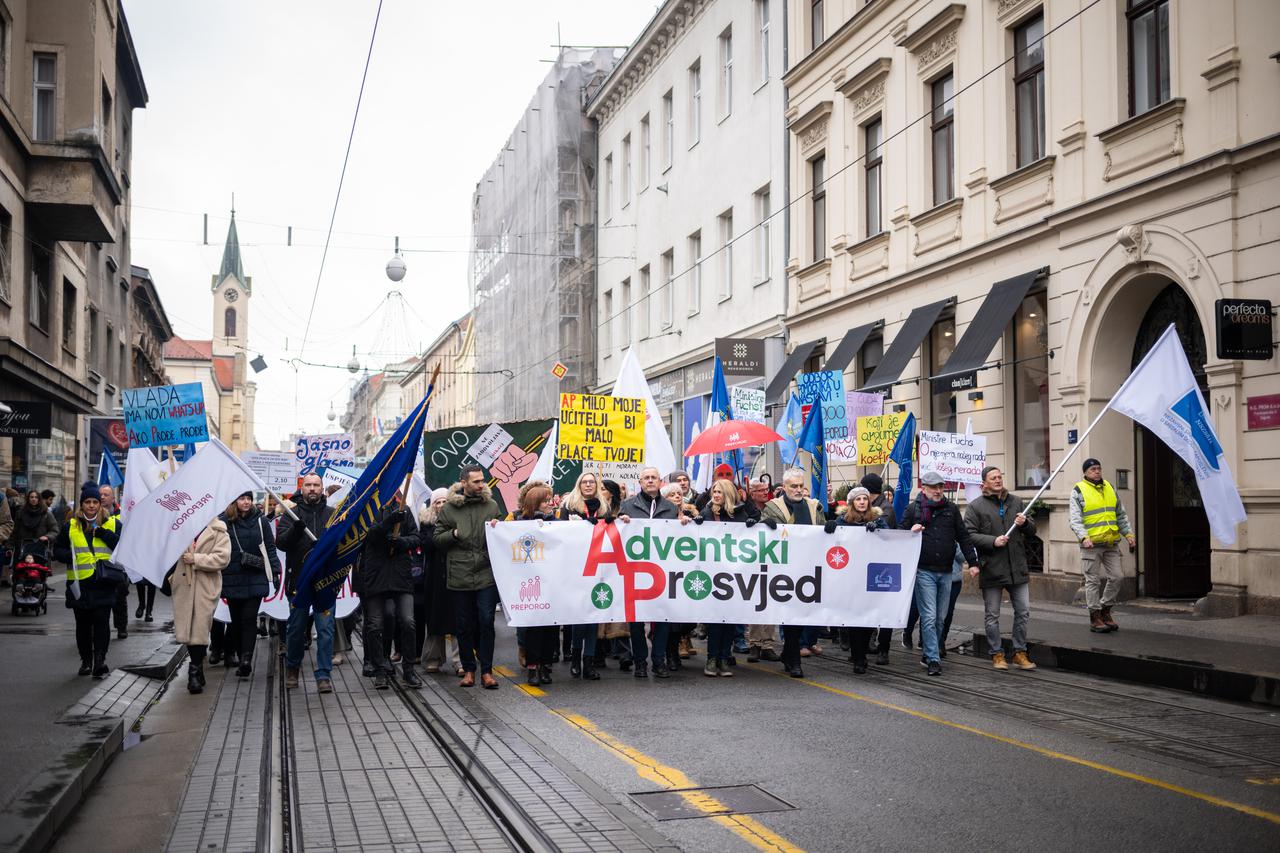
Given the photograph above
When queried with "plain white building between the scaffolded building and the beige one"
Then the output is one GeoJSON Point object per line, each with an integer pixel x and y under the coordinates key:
{"type": "Point", "coordinates": [692, 186]}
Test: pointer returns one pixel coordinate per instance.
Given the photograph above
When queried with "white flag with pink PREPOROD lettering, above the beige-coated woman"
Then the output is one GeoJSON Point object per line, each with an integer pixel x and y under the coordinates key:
{"type": "Point", "coordinates": [167, 521]}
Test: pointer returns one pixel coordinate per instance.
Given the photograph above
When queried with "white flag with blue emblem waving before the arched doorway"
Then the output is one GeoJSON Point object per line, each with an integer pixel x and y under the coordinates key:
{"type": "Point", "coordinates": [1163, 396]}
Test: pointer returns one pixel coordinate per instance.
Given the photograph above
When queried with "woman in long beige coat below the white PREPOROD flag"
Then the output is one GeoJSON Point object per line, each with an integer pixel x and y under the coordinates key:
{"type": "Point", "coordinates": [198, 585]}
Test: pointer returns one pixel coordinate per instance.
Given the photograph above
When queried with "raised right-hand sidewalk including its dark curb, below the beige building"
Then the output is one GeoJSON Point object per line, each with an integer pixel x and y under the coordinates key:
{"type": "Point", "coordinates": [1231, 659]}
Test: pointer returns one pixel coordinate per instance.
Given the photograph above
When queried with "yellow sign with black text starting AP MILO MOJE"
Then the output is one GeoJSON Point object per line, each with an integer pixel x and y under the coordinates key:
{"type": "Point", "coordinates": [598, 428]}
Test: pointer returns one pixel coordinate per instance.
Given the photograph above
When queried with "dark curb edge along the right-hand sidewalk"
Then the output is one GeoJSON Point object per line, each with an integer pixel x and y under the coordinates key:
{"type": "Point", "coordinates": [1192, 677]}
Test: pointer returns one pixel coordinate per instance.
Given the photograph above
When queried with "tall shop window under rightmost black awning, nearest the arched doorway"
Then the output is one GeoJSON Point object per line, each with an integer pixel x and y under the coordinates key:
{"type": "Point", "coordinates": [1031, 391]}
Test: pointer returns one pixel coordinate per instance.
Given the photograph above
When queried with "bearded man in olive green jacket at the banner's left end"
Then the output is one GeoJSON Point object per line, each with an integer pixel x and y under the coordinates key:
{"type": "Point", "coordinates": [460, 535]}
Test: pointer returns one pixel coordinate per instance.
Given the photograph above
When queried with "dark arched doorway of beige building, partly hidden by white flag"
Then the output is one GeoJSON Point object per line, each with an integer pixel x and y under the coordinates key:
{"type": "Point", "coordinates": [1176, 542]}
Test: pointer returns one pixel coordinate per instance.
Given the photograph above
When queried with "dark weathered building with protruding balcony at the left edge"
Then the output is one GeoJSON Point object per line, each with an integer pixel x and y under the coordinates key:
{"type": "Point", "coordinates": [70, 83]}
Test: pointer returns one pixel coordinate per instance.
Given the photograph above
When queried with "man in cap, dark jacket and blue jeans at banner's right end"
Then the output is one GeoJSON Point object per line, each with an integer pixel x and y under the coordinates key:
{"type": "Point", "coordinates": [941, 530]}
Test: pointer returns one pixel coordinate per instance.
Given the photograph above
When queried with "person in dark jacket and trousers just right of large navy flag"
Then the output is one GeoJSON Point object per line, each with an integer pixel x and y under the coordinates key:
{"type": "Point", "coordinates": [387, 585]}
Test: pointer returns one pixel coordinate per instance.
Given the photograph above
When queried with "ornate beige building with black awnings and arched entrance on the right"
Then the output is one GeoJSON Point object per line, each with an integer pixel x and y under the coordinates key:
{"type": "Point", "coordinates": [1009, 202]}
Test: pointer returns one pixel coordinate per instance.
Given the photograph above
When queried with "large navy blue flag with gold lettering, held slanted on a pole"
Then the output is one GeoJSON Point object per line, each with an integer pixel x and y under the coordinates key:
{"type": "Point", "coordinates": [344, 539]}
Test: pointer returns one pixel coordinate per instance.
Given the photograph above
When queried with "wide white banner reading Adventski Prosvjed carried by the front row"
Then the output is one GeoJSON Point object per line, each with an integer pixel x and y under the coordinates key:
{"type": "Point", "coordinates": [556, 573]}
